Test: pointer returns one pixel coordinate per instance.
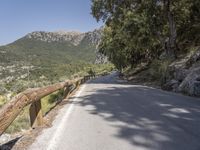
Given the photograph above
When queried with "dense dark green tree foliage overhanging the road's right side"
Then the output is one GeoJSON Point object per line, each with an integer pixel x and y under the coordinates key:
{"type": "Point", "coordinates": [139, 31]}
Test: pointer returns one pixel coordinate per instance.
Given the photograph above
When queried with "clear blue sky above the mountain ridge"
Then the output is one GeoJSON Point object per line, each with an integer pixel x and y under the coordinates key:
{"type": "Point", "coordinates": [19, 17]}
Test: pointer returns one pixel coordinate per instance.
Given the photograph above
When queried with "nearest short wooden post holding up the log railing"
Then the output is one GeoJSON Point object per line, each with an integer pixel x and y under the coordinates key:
{"type": "Point", "coordinates": [35, 112]}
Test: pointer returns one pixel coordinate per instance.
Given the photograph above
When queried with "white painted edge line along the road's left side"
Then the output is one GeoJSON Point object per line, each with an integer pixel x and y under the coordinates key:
{"type": "Point", "coordinates": [56, 137]}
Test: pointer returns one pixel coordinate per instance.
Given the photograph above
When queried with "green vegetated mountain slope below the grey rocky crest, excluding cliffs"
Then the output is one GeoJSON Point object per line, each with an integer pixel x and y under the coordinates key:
{"type": "Point", "coordinates": [51, 61]}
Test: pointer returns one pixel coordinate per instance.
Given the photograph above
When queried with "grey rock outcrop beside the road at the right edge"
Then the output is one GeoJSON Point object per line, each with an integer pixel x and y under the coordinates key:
{"type": "Point", "coordinates": [184, 75]}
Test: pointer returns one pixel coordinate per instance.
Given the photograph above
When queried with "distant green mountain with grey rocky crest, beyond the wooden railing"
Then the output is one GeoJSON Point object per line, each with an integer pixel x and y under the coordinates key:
{"type": "Point", "coordinates": [49, 55]}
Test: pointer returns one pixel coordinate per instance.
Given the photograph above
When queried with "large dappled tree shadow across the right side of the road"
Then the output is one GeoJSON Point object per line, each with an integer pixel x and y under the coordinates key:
{"type": "Point", "coordinates": [148, 118]}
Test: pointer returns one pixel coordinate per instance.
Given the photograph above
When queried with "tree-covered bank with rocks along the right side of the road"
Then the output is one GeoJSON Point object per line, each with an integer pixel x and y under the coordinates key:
{"type": "Point", "coordinates": [158, 38]}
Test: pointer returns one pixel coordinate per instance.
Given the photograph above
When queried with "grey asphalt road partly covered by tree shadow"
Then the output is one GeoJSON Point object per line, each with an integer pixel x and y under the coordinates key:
{"type": "Point", "coordinates": [109, 114]}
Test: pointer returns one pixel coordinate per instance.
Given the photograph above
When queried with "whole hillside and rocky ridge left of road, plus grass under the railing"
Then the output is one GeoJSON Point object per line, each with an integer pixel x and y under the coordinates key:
{"type": "Point", "coordinates": [44, 58]}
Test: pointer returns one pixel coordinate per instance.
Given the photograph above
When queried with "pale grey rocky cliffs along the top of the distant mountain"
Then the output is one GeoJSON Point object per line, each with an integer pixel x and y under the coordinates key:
{"type": "Point", "coordinates": [75, 38]}
